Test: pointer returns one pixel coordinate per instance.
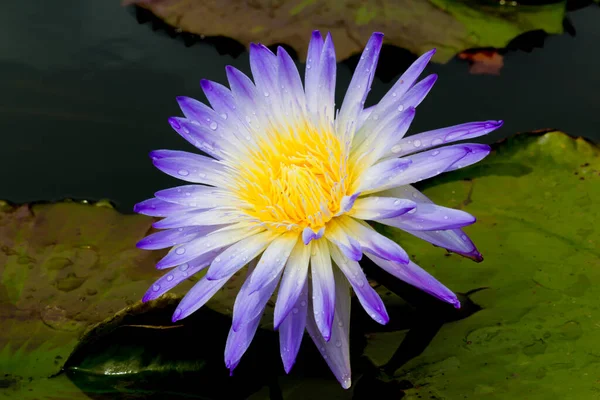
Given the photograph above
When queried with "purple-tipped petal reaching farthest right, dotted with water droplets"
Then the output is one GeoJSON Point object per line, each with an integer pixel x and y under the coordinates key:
{"type": "Point", "coordinates": [437, 137]}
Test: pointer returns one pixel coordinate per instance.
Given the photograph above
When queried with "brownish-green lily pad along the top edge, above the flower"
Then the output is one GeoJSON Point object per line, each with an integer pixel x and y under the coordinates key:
{"type": "Point", "coordinates": [417, 25]}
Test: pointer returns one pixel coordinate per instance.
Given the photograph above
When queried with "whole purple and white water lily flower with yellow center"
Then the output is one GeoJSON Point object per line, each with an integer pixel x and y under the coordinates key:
{"type": "Point", "coordinates": [286, 187]}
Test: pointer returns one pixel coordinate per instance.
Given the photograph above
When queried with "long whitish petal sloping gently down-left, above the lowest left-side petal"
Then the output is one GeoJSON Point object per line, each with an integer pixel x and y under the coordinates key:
{"type": "Point", "coordinates": [188, 251]}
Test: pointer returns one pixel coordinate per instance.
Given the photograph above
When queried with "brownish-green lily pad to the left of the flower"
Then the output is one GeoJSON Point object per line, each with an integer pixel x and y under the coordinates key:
{"type": "Point", "coordinates": [64, 268]}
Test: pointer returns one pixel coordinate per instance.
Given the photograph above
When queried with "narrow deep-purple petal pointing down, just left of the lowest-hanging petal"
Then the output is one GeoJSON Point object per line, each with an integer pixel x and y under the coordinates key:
{"type": "Point", "coordinates": [292, 329]}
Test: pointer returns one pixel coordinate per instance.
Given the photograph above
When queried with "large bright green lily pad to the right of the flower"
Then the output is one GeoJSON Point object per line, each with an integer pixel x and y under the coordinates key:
{"type": "Point", "coordinates": [536, 200]}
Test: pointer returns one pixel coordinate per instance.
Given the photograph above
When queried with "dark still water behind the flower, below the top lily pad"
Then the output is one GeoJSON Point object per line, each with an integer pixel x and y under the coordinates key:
{"type": "Point", "coordinates": [86, 93]}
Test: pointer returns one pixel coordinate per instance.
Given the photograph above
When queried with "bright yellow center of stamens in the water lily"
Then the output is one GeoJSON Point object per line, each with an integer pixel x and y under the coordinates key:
{"type": "Point", "coordinates": [296, 178]}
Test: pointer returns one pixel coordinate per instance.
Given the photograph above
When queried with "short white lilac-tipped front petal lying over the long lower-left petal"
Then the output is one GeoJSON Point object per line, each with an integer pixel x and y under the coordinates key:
{"type": "Point", "coordinates": [238, 255]}
